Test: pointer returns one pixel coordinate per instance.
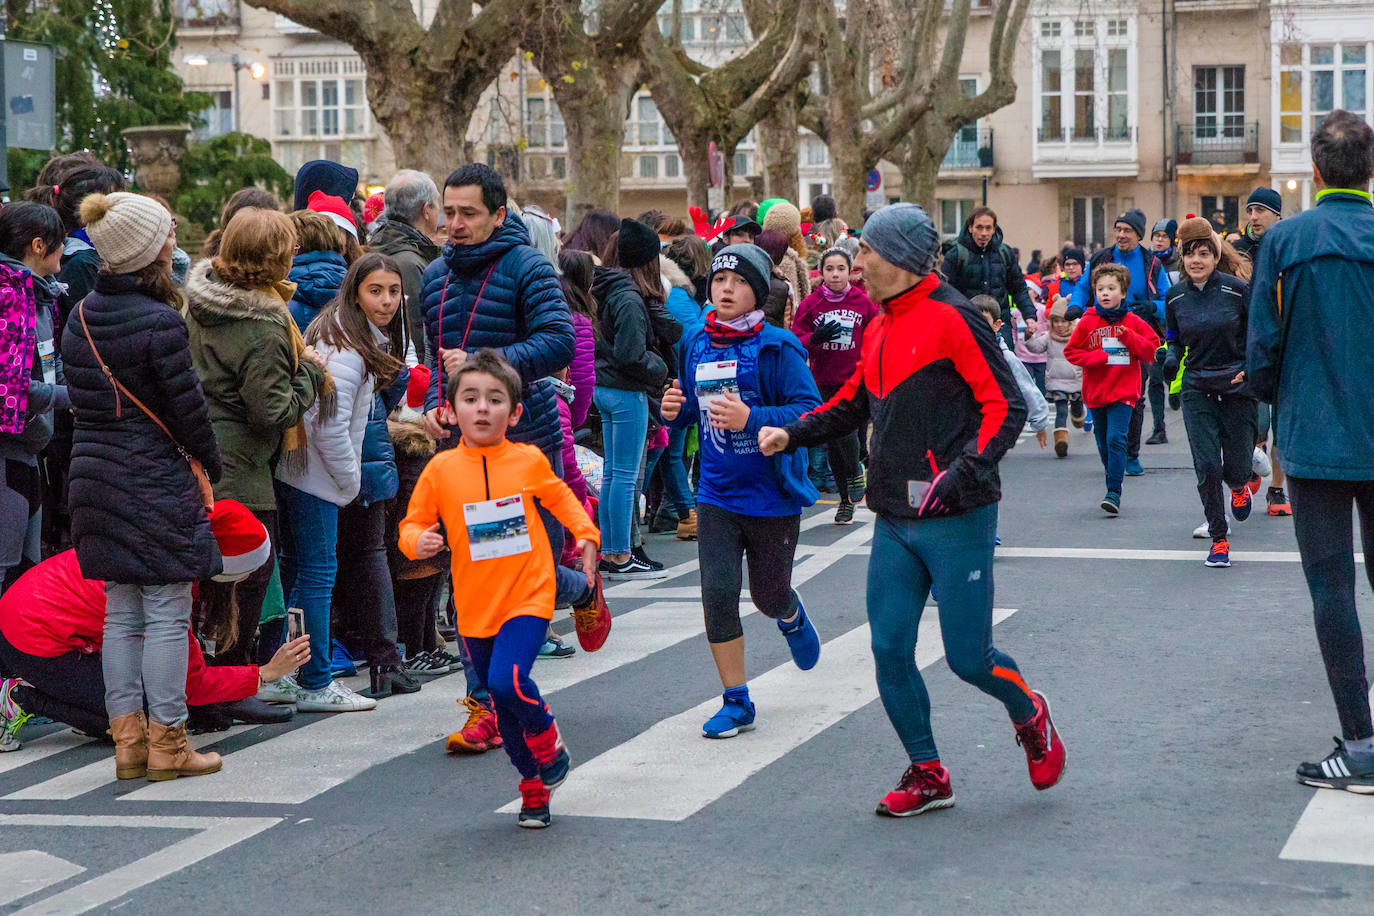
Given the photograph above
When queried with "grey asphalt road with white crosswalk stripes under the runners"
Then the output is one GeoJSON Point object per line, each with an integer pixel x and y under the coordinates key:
{"type": "Point", "coordinates": [1185, 697]}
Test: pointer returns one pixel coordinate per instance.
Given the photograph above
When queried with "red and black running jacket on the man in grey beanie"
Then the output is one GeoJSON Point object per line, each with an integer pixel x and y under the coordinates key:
{"type": "Point", "coordinates": [942, 399]}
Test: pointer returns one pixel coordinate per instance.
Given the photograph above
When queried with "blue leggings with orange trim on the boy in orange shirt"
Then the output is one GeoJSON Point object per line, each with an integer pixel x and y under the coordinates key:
{"type": "Point", "coordinates": [502, 665]}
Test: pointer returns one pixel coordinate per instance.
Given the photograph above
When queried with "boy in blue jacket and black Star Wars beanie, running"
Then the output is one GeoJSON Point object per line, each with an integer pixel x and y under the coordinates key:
{"type": "Point", "coordinates": [741, 376]}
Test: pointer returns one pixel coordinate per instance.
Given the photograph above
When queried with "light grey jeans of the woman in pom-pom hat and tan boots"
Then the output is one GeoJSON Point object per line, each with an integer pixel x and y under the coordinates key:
{"type": "Point", "coordinates": [145, 650]}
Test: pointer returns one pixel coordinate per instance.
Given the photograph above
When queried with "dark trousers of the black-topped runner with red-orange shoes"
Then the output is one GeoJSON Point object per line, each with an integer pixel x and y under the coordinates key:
{"type": "Point", "coordinates": [1222, 439]}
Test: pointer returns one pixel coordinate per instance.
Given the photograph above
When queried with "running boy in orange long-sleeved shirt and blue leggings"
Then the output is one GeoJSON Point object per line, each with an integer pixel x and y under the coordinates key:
{"type": "Point", "coordinates": [482, 494]}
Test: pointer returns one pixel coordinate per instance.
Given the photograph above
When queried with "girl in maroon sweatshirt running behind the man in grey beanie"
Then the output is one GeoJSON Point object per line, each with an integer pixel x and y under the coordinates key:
{"type": "Point", "coordinates": [831, 325]}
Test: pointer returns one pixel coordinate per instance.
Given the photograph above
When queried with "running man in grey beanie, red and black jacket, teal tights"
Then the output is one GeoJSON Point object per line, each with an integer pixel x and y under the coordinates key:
{"type": "Point", "coordinates": [945, 409]}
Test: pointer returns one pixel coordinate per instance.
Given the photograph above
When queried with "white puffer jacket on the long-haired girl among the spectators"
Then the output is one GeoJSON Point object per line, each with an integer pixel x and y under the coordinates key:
{"type": "Point", "coordinates": [335, 446]}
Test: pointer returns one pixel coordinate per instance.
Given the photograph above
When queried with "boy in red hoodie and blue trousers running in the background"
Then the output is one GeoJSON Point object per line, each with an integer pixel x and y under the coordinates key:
{"type": "Point", "coordinates": [1111, 343]}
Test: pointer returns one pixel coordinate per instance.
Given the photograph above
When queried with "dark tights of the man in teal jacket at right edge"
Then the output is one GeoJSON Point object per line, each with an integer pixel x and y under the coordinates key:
{"type": "Point", "coordinates": [1325, 538]}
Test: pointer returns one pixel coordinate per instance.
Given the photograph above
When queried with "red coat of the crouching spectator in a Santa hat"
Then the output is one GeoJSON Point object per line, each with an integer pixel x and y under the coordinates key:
{"type": "Point", "coordinates": [53, 610]}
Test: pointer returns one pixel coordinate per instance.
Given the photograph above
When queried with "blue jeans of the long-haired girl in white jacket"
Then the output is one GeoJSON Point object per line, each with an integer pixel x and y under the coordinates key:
{"type": "Point", "coordinates": [310, 540]}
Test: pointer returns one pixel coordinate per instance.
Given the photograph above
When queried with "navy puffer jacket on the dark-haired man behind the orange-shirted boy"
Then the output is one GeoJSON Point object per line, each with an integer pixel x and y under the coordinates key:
{"type": "Point", "coordinates": [521, 315]}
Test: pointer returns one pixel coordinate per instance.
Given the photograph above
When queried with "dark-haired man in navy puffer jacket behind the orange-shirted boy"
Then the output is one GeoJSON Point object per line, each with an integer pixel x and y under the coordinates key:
{"type": "Point", "coordinates": [491, 289]}
